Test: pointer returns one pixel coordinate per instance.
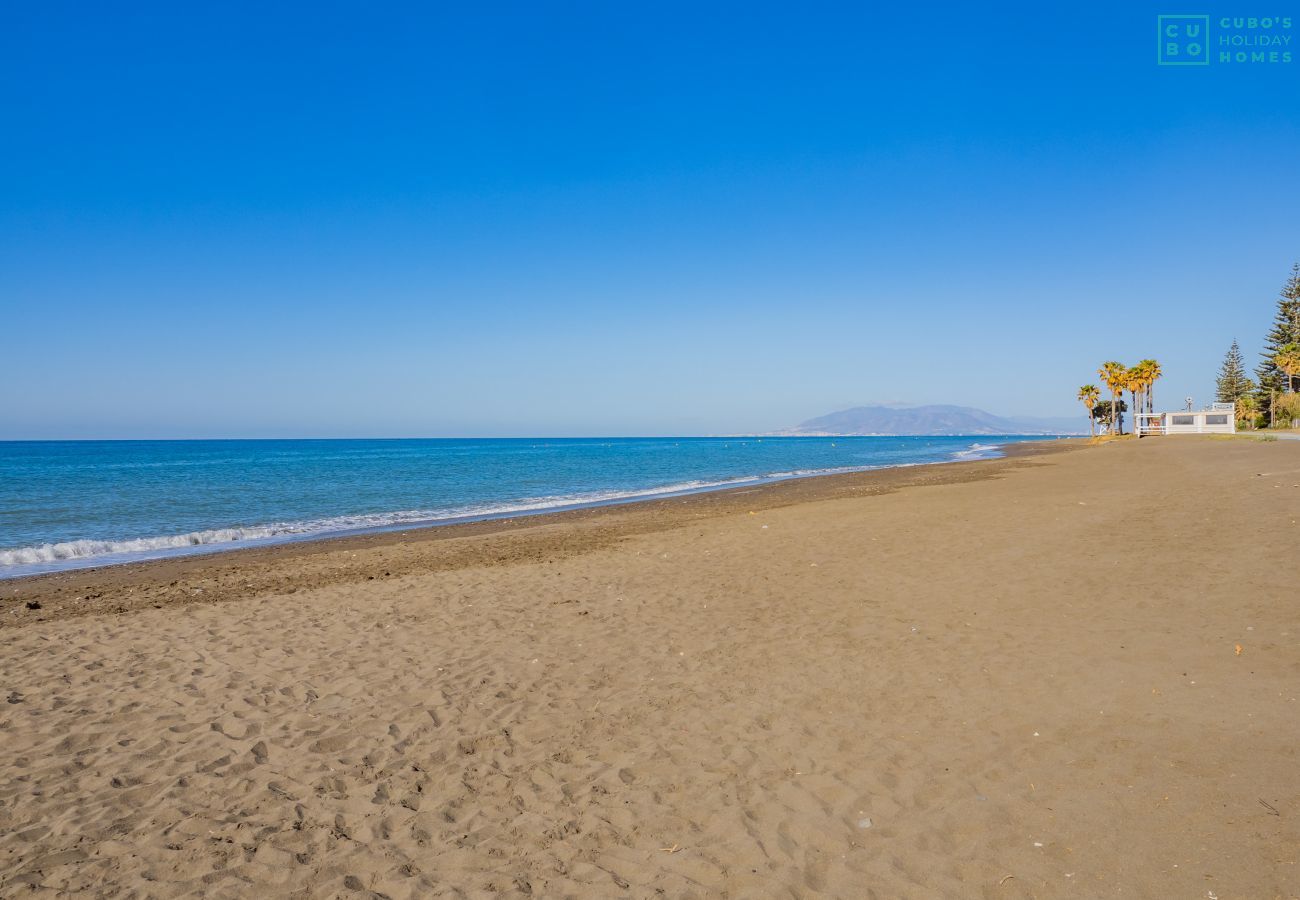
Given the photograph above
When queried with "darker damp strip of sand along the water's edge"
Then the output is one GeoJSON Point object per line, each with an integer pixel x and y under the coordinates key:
{"type": "Point", "coordinates": [85, 590]}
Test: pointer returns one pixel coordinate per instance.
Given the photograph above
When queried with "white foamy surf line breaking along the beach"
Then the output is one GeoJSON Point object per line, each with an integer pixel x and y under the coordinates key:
{"type": "Point", "coordinates": [81, 553]}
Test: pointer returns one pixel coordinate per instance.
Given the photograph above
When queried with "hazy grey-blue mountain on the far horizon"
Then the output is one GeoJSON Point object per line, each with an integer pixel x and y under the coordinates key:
{"type": "Point", "coordinates": [933, 421]}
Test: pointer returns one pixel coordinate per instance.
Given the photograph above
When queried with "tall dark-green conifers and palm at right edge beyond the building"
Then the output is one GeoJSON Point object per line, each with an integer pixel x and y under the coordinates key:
{"type": "Point", "coordinates": [1273, 397]}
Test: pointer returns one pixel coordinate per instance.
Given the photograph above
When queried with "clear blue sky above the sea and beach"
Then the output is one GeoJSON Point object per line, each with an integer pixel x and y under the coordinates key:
{"type": "Point", "coordinates": [248, 220]}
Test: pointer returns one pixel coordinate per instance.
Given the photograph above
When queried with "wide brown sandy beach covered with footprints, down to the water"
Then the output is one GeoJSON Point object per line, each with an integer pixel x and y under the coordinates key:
{"type": "Point", "coordinates": [1065, 674]}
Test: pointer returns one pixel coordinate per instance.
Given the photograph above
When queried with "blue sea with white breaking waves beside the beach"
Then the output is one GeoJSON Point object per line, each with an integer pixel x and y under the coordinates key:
{"type": "Point", "coordinates": [75, 504]}
